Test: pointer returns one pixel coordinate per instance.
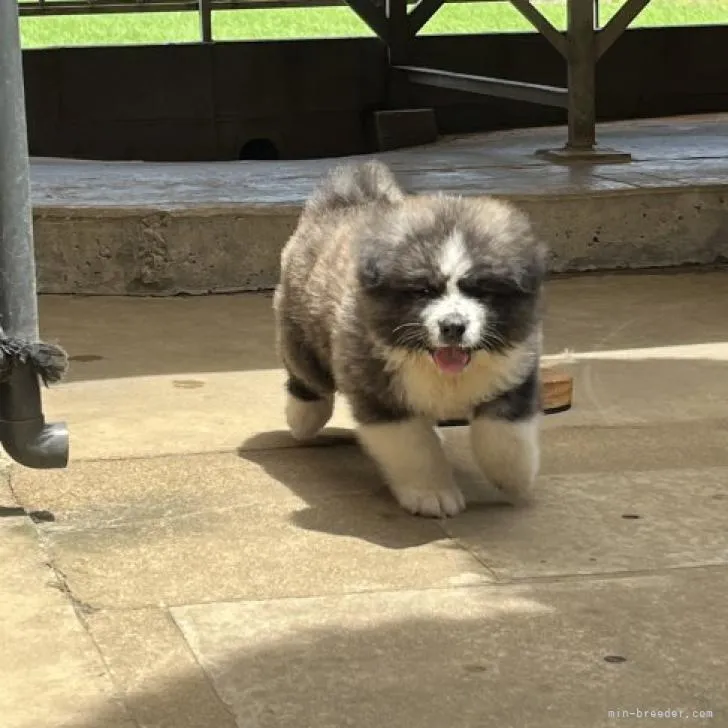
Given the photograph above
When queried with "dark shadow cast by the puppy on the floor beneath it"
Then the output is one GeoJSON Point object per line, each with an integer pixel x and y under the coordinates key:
{"type": "Point", "coordinates": [345, 494]}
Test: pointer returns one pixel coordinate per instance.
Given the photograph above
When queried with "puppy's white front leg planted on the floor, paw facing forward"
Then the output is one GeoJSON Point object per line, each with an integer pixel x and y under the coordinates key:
{"type": "Point", "coordinates": [410, 455]}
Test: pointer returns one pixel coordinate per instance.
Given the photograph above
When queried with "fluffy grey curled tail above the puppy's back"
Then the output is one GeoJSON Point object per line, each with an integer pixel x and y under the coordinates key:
{"type": "Point", "coordinates": [355, 184]}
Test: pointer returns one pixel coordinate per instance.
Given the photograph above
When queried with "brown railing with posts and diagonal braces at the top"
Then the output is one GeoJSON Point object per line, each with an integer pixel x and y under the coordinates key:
{"type": "Point", "coordinates": [397, 23]}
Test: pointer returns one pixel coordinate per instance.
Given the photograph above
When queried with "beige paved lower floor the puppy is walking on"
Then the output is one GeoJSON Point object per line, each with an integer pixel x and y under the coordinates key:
{"type": "Point", "coordinates": [202, 571]}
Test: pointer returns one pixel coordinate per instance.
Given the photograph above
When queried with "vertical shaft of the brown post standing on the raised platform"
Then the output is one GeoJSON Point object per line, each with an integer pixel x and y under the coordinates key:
{"type": "Point", "coordinates": [581, 63]}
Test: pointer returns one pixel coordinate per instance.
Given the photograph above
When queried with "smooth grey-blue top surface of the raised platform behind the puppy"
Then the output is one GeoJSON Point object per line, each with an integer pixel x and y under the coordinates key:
{"type": "Point", "coordinates": [680, 152]}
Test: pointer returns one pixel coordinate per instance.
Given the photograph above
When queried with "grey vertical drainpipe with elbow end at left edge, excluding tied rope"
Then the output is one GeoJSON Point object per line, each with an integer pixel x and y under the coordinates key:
{"type": "Point", "coordinates": [24, 433]}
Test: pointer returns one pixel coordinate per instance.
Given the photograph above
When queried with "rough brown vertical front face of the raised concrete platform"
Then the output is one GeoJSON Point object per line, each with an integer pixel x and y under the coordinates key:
{"type": "Point", "coordinates": [225, 248]}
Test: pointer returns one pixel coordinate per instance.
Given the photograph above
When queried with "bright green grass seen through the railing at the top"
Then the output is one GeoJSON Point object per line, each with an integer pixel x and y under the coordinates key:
{"type": "Point", "coordinates": [142, 28]}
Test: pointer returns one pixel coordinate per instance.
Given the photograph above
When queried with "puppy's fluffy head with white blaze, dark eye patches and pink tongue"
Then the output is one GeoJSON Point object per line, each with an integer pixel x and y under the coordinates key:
{"type": "Point", "coordinates": [451, 276]}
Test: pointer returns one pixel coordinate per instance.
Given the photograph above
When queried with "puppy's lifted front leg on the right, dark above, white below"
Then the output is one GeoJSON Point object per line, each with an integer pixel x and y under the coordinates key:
{"type": "Point", "coordinates": [504, 435]}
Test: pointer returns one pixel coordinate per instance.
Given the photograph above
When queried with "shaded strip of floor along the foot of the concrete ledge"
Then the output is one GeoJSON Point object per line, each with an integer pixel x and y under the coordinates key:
{"type": "Point", "coordinates": [132, 337]}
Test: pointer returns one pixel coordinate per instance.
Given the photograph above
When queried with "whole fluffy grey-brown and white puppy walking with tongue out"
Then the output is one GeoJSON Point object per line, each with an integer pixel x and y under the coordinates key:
{"type": "Point", "coordinates": [418, 309]}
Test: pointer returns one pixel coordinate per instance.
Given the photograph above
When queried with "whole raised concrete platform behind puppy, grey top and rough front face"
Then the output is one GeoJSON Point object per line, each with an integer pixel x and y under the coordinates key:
{"type": "Point", "coordinates": [159, 229]}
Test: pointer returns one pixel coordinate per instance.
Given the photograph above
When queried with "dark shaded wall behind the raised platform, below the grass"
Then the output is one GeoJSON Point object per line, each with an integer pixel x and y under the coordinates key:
{"type": "Point", "coordinates": [185, 102]}
